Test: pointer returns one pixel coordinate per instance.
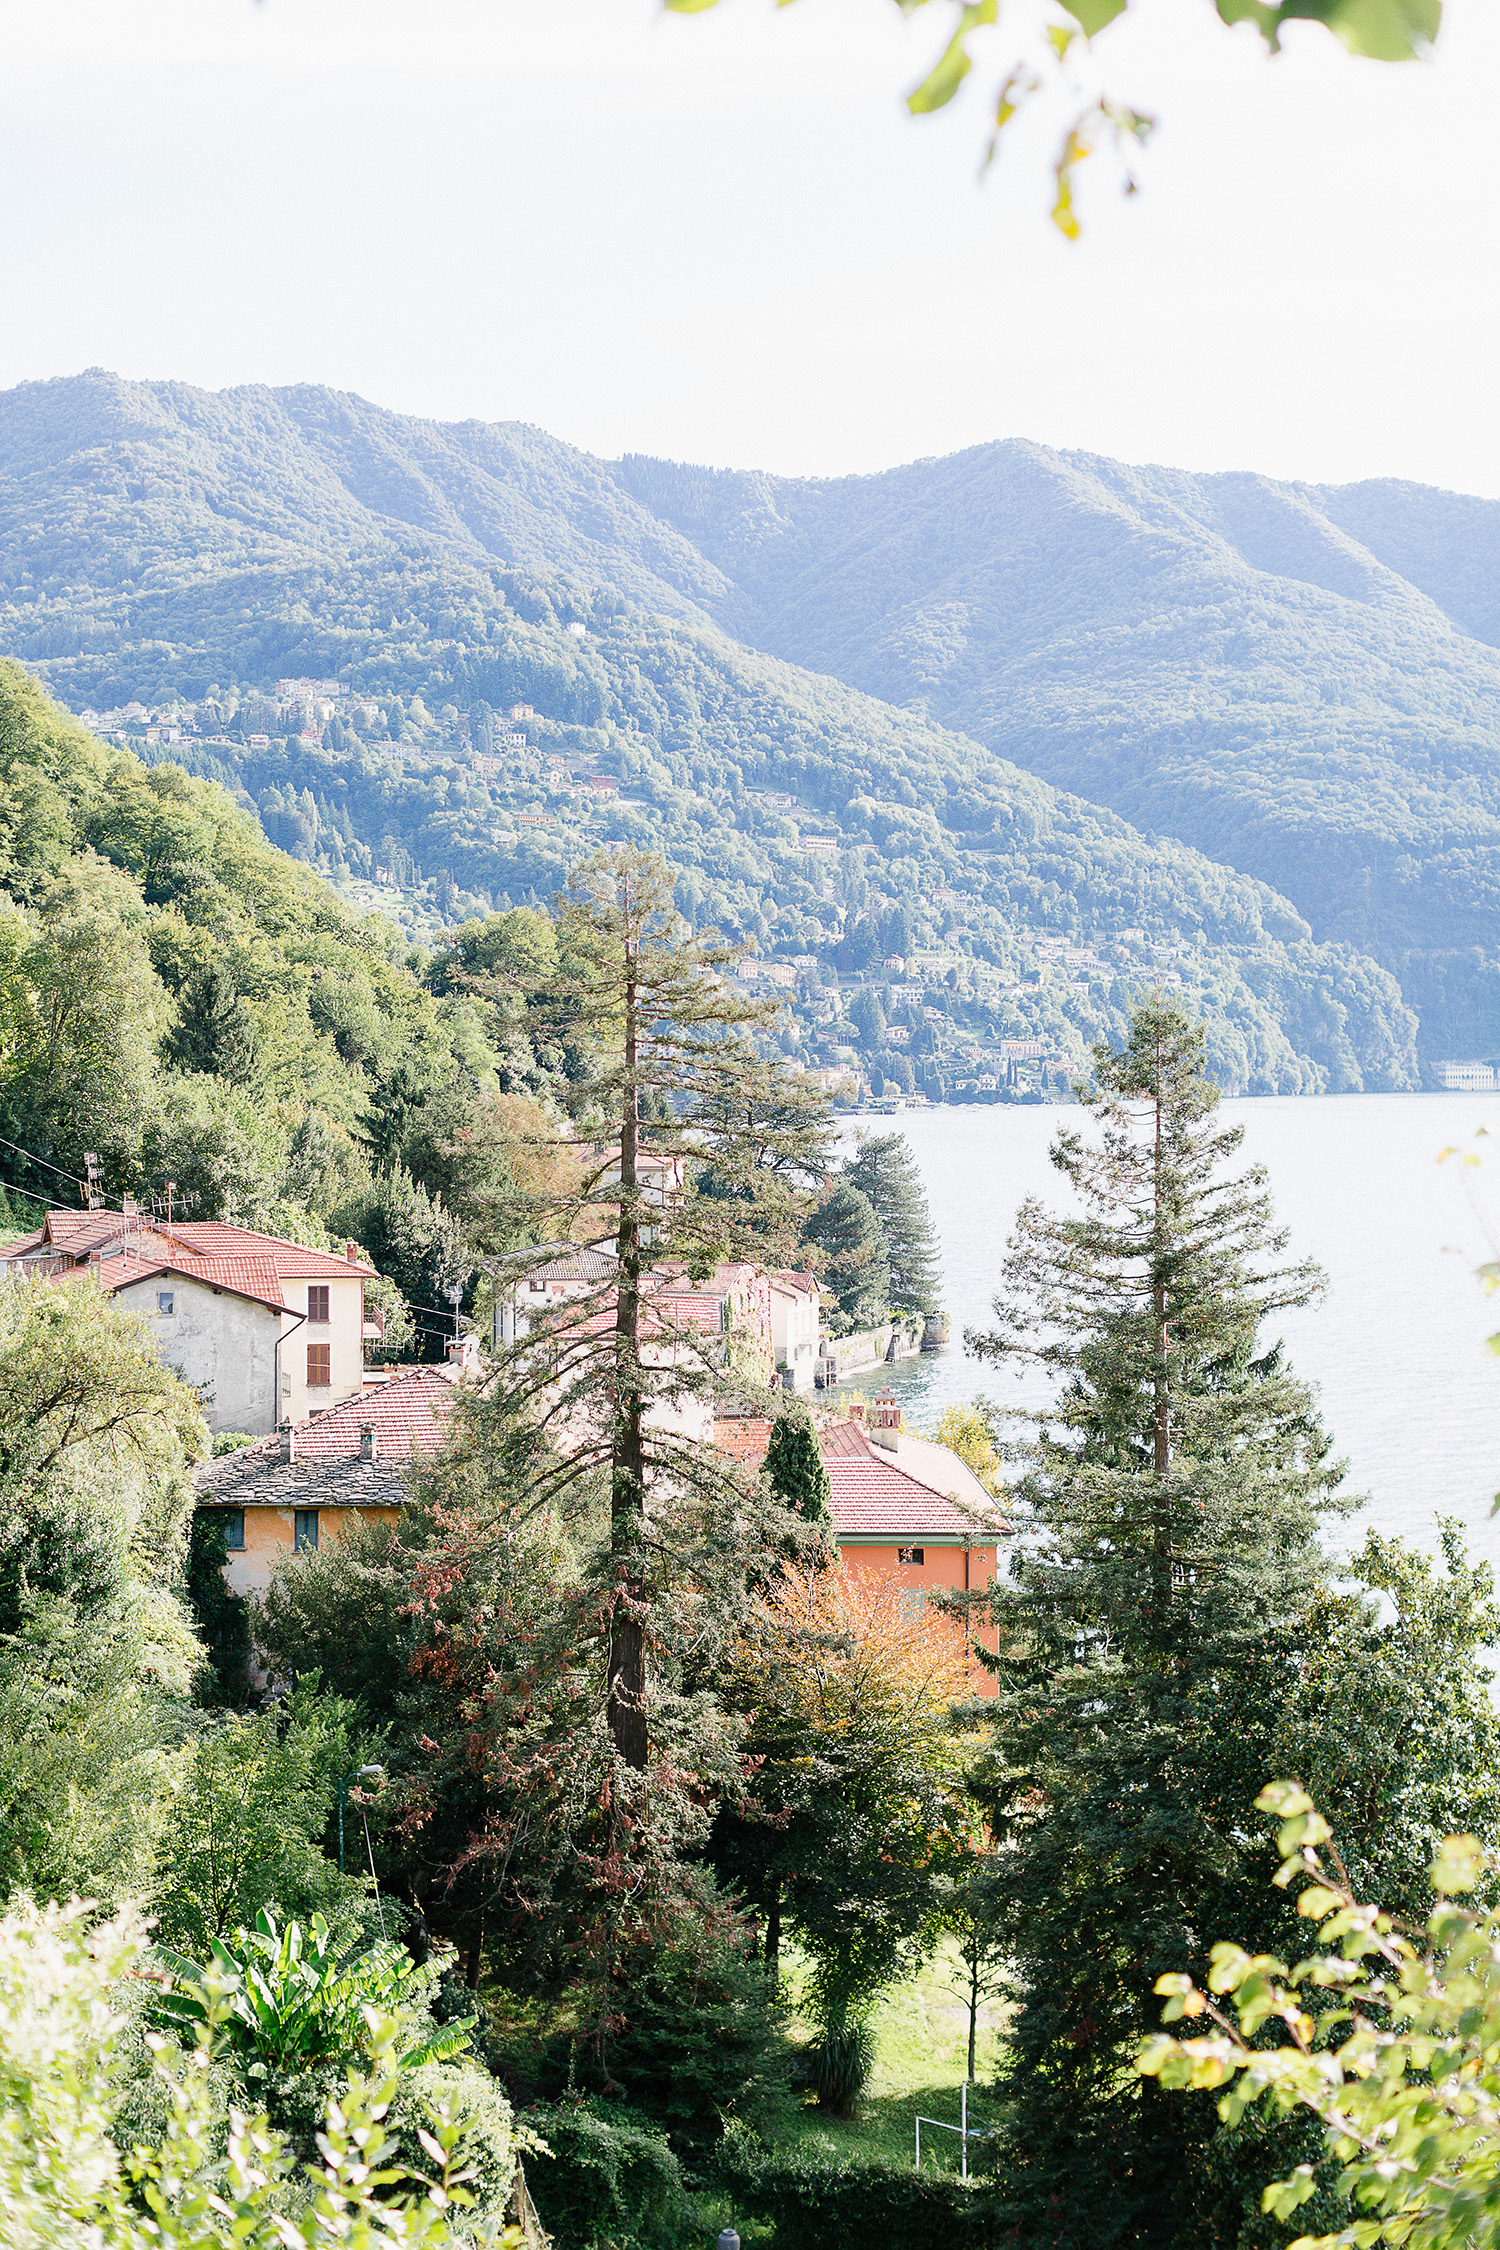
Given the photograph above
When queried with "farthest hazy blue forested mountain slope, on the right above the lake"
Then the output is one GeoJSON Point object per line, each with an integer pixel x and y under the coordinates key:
{"type": "Point", "coordinates": [1296, 681]}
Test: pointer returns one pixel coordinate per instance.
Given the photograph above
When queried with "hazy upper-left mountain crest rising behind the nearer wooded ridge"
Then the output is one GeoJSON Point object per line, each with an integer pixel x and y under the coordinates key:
{"type": "Point", "coordinates": [111, 485]}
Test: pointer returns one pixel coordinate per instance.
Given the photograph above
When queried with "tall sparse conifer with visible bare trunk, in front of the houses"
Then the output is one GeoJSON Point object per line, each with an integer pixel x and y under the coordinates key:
{"type": "Point", "coordinates": [658, 1036]}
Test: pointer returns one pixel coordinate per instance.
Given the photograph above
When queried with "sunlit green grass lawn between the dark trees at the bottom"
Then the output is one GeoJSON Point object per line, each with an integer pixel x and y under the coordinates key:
{"type": "Point", "coordinates": [921, 2055]}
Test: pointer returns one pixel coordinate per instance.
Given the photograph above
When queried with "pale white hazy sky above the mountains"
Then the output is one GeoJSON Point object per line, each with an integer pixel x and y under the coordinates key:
{"type": "Point", "coordinates": [723, 240]}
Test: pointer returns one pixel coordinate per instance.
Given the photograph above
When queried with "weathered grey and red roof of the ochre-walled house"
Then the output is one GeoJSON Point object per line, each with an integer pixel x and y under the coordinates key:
{"type": "Point", "coordinates": [327, 1473]}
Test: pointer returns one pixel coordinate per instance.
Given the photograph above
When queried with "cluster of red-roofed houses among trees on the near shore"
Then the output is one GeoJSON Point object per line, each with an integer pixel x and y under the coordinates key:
{"type": "Point", "coordinates": [273, 1338]}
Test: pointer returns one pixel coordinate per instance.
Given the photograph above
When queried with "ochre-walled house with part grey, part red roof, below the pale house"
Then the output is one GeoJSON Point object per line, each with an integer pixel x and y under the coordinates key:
{"type": "Point", "coordinates": [318, 1477]}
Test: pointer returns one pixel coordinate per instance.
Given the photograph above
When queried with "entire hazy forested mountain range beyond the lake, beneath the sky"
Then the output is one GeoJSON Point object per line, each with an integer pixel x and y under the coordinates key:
{"type": "Point", "coordinates": [165, 543]}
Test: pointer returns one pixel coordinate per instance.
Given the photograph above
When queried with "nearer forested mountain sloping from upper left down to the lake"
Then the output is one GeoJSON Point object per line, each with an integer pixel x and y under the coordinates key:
{"type": "Point", "coordinates": [208, 579]}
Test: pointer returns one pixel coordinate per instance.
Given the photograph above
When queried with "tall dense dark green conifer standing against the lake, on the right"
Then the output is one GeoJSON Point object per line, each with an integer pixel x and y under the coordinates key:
{"type": "Point", "coordinates": [1166, 1540]}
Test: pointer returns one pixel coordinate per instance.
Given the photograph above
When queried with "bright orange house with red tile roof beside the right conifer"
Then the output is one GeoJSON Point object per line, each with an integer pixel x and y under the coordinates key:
{"type": "Point", "coordinates": [914, 1518]}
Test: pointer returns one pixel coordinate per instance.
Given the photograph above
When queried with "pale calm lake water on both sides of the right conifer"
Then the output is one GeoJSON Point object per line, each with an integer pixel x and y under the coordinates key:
{"type": "Point", "coordinates": [1395, 1349]}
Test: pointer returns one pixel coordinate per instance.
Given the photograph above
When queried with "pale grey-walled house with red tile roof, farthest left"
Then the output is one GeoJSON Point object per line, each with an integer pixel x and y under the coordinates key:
{"type": "Point", "coordinates": [266, 1331]}
